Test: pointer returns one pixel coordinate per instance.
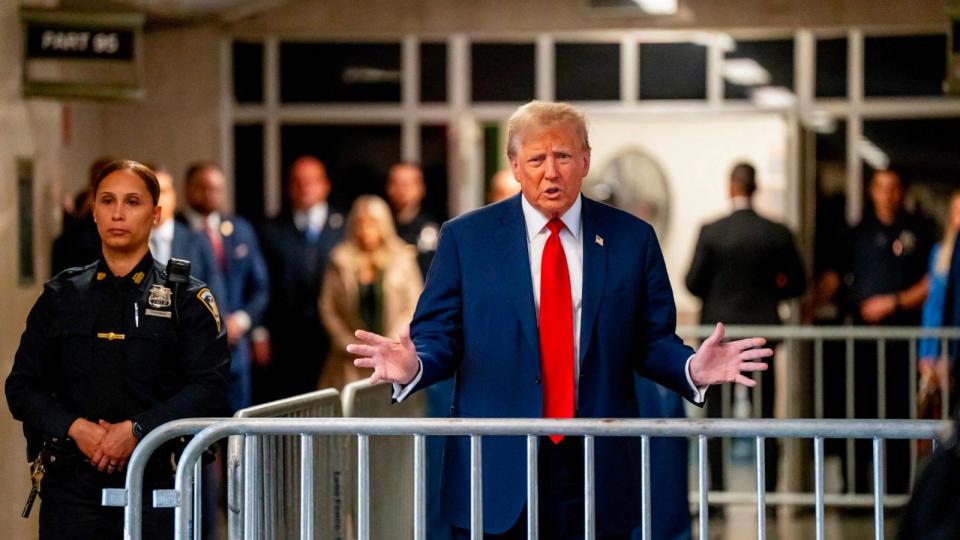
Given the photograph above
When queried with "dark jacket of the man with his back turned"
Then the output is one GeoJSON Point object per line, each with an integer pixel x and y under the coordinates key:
{"type": "Point", "coordinates": [742, 267]}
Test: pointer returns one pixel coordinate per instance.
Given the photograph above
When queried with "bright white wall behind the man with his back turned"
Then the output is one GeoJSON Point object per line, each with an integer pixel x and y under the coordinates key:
{"type": "Point", "coordinates": [696, 154]}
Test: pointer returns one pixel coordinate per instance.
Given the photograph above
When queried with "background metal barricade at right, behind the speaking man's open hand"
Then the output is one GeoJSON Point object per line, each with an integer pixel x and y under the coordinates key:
{"type": "Point", "coordinates": [815, 337]}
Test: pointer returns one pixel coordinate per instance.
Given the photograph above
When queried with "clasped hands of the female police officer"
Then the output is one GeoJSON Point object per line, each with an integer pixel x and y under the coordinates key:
{"type": "Point", "coordinates": [107, 446]}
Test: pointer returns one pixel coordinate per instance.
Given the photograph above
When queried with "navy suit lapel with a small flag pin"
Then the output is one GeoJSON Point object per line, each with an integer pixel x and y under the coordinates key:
{"type": "Point", "coordinates": [594, 272]}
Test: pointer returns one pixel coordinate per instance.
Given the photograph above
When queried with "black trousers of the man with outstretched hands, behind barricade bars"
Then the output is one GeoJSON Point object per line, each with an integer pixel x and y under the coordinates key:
{"type": "Point", "coordinates": [560, 483]}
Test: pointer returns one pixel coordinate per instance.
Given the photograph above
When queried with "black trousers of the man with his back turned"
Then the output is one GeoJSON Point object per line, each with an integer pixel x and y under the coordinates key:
{"type": "Point", "coordinates": [771, 447]}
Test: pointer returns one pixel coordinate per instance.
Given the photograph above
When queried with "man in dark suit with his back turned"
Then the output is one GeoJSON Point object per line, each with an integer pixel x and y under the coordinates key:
{"type": "Point", "coordinates": [744, 265]}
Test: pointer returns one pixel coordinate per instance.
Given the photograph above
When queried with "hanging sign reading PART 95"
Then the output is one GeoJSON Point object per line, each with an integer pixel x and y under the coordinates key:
{"type": "Point", "coordinates": [82, 55]}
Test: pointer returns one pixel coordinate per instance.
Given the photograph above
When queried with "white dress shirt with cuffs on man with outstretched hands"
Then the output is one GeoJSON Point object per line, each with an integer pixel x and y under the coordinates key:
{"type": "Point", "coordinates": [572, 241]}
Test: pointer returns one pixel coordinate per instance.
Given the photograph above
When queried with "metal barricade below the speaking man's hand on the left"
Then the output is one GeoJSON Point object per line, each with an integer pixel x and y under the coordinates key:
{"type": "Point", "coordinates": [389, 459]}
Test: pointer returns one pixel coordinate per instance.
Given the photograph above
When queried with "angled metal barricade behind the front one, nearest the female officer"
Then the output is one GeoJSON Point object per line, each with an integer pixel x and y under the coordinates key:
{"type": "Point", "coordinates": [270, 471]}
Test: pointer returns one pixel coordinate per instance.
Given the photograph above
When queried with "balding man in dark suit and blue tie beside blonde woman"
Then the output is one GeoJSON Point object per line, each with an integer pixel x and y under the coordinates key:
{"type": "Point", "coordinates": [296, 246]}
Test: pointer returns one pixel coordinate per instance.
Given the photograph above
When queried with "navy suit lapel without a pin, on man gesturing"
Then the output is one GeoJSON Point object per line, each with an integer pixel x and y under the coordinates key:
{"type": "Point", "coordinates": [514, 255]}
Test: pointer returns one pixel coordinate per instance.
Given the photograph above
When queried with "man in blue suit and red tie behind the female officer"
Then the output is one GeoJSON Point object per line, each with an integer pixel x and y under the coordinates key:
{"type": "Point", "coordinates": [240, 263]}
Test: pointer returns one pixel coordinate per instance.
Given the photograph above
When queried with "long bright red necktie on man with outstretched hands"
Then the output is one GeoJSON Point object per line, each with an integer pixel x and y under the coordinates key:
{"type": "Point", "coordinates": [556, 329]}
